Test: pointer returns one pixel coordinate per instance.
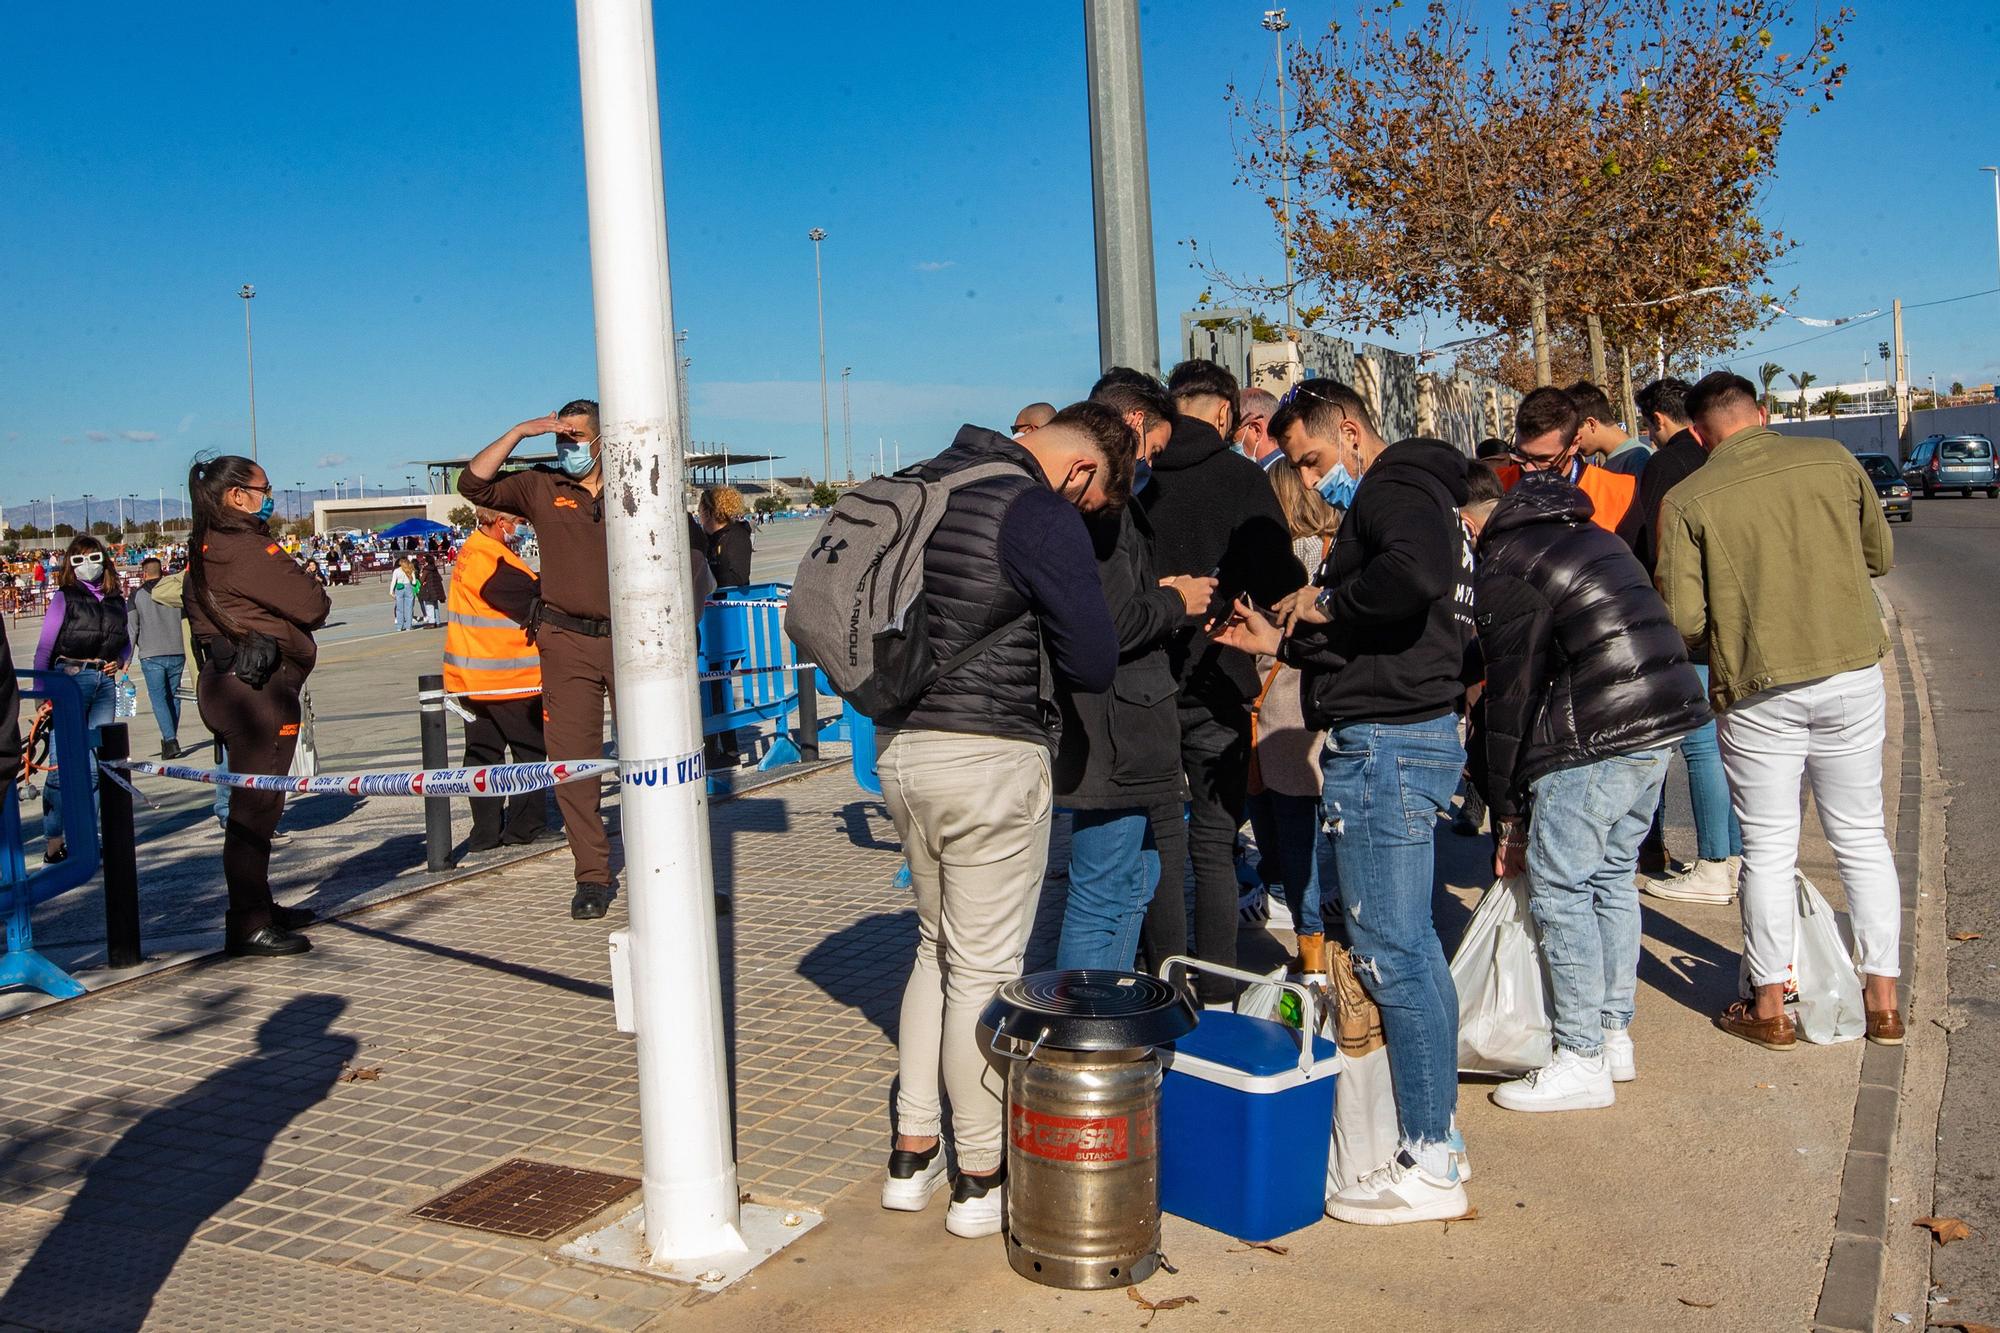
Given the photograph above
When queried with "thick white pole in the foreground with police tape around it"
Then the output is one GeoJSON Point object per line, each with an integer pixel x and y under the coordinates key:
{"type": "Point", "coordinates": [693, 1222]}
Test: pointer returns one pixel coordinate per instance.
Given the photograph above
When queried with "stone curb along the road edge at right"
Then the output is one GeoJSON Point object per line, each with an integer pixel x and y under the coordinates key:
{"type": "Point", "coordinates": [1859, 1256]}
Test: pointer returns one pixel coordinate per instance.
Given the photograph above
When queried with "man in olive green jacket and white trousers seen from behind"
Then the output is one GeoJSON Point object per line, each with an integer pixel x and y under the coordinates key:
{"type": "Point", "coordinates": [1765, 561]}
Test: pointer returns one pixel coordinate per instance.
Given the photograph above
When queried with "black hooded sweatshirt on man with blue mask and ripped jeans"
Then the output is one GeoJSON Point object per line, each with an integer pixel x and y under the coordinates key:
{"type": "Point", "coordinates": [1399, 589]}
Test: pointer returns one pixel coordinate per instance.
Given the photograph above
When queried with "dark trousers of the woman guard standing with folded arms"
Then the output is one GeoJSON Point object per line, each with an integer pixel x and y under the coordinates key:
{"type": "Point", "coordinates": [259, 730]}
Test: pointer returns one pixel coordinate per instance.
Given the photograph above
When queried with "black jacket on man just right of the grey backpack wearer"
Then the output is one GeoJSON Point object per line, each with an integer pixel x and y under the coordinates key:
{"type": "Point", "coordinates": [1121, 748]}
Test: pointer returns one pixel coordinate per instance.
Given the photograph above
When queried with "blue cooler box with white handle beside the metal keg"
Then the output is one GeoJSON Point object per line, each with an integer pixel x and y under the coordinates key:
{"type": "Point", "coordinates": [1247, 1120]}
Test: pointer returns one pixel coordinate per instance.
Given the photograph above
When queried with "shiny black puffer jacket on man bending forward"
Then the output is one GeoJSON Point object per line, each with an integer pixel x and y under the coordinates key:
{"type": "Point", "coordinates": [1583, 661]}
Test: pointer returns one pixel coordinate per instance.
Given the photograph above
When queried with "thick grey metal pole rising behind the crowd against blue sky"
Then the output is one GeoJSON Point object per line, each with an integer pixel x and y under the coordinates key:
{"type": "Point", "coordinates": [1121, 193]}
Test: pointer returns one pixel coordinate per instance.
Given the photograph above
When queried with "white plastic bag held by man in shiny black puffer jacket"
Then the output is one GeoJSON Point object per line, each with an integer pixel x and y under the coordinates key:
{"type": "Point", "coordinates": [1505, 1022]}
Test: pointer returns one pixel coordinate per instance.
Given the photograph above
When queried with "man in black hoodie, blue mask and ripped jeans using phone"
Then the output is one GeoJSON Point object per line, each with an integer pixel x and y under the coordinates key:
{"type": "Point", "coordinates": [1383, 649]}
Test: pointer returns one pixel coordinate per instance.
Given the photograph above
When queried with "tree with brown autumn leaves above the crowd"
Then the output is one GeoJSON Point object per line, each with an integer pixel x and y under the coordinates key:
{"type": "Point", "coordinates": [1593, 159]}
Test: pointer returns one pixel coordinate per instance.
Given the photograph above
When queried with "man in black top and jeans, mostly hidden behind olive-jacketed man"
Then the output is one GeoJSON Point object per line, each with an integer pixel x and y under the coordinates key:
{"type": "Point", "coordinates": [1719, 840]}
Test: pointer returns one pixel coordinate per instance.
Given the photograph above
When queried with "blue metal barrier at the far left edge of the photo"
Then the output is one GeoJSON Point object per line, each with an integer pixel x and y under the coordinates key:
{"type": "Point", "coordinates": [21, 966]}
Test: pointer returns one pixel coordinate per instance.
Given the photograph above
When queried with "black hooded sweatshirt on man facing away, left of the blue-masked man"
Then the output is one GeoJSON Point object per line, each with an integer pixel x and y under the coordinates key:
{"type": "Point", "coordinates": [1213, 513]}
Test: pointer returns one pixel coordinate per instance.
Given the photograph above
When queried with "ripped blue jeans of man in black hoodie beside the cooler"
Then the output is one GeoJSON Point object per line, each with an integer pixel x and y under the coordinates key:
{"type": "Point", "coordinates": [1387, 786]}
